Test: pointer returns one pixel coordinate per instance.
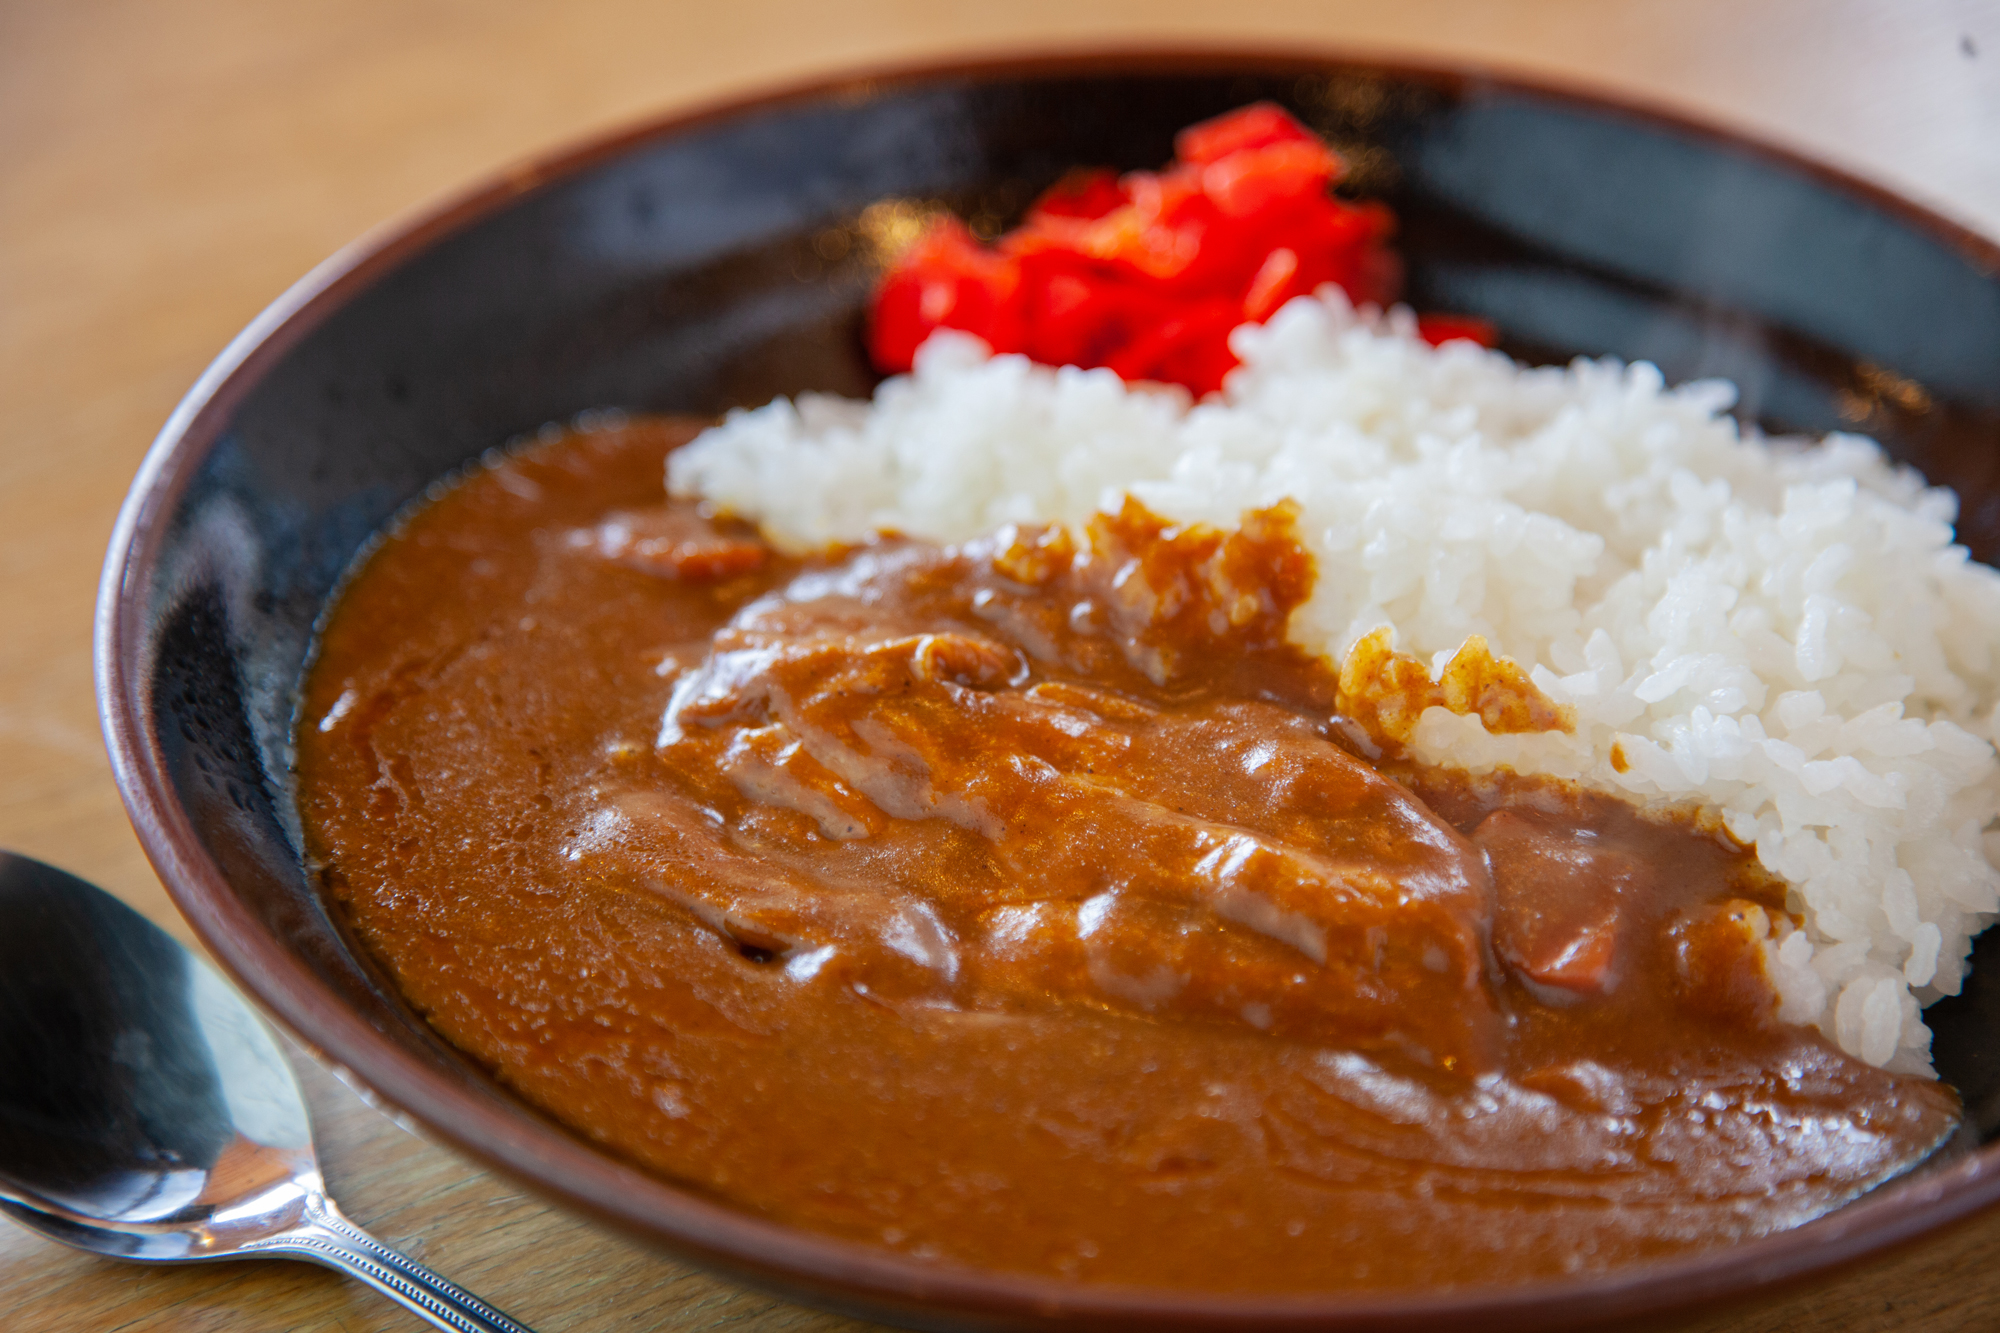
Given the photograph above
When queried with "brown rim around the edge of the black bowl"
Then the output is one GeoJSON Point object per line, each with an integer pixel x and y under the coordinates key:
{"type": "Point", "coordinates": [525, 1146]}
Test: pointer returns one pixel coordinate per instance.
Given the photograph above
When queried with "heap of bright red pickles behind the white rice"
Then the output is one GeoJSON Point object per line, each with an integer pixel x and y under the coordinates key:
{"type": "Point", "coordinates": [1151, 271]}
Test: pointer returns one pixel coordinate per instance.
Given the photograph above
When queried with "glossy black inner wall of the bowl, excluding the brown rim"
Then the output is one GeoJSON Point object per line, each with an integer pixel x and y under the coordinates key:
{"type": "Point", "coordinates": [689, 273]}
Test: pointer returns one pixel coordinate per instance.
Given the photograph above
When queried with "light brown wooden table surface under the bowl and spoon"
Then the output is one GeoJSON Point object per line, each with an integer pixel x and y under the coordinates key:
{"type": "Point", "coordinates": [169, 167]}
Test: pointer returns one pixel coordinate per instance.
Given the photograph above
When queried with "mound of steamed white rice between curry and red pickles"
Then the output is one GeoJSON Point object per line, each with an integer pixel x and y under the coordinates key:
{"type": "Point", "coordinates": [1779, 631]}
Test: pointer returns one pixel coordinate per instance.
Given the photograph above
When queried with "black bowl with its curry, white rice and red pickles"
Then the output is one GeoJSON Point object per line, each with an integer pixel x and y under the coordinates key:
{"type": "Point", "coordinates": [1121, 692]}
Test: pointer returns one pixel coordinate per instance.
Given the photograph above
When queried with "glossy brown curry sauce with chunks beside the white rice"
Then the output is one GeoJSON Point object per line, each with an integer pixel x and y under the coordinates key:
{"type": "Point", "coordinates": [1033, 908]}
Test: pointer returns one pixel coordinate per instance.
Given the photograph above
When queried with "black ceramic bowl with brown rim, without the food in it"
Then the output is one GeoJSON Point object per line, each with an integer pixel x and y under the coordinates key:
{"type": "Point", "coordinates": [687, 269]}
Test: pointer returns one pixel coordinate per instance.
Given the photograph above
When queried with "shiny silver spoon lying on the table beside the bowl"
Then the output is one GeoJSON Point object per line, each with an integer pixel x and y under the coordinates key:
{"type": "Point", "coordinates": [149, 1114]}
